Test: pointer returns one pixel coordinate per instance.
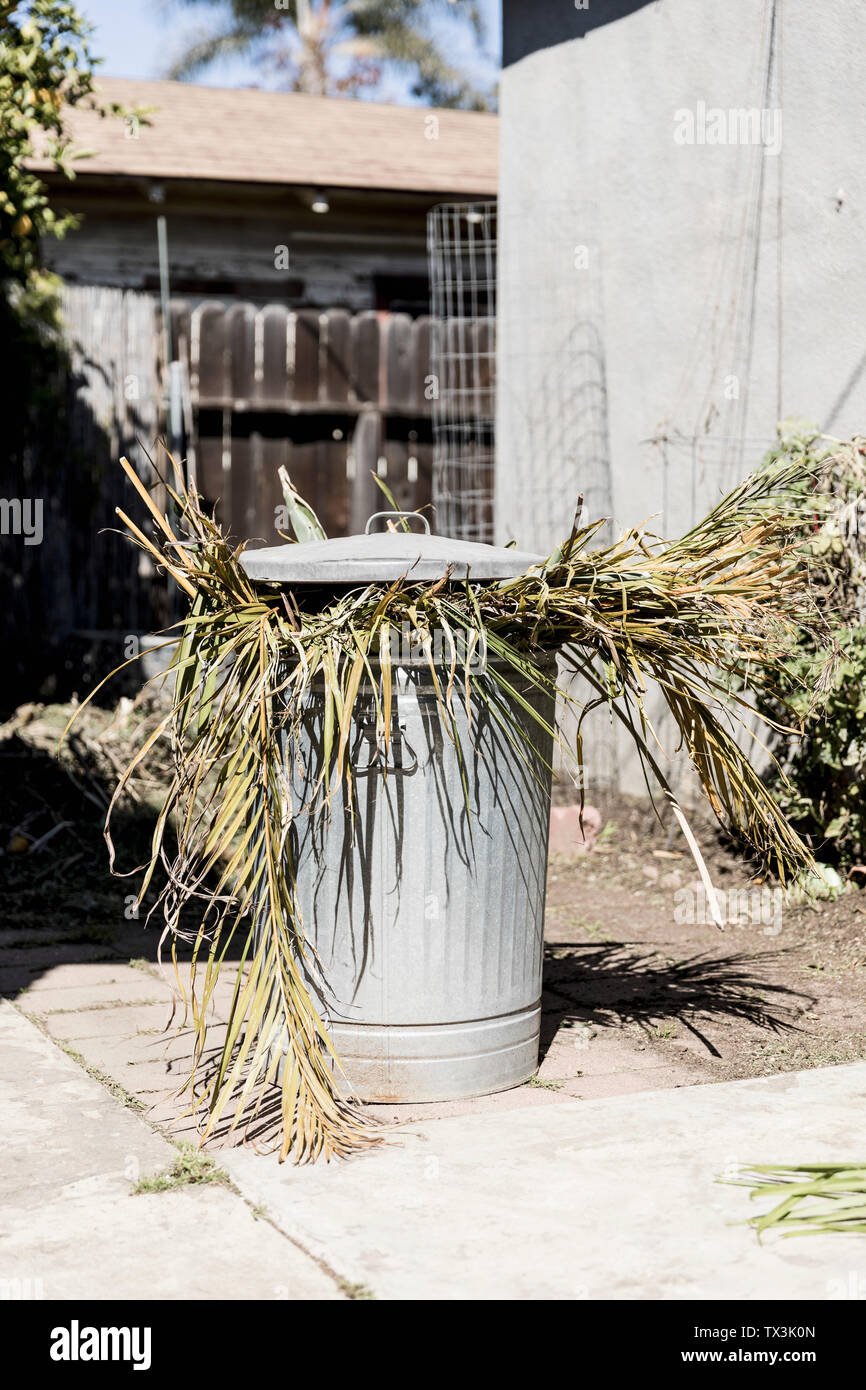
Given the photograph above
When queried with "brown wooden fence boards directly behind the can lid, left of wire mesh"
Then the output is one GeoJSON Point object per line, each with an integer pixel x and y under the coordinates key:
{"type": "Point", "coordinates": [333, 397]}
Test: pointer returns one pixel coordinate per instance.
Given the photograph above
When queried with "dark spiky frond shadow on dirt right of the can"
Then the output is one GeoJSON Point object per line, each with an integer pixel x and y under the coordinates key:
{"type": "Point", "coordinates": [615, 985]}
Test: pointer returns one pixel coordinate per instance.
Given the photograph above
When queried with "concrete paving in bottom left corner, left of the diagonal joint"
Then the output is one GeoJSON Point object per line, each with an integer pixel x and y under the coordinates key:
{"type": "Point", "coordinates": [70, 1224]}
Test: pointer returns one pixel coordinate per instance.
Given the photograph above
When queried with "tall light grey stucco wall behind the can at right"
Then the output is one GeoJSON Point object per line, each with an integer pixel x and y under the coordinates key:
{"type": "Point", "coordinates": [664, 304]}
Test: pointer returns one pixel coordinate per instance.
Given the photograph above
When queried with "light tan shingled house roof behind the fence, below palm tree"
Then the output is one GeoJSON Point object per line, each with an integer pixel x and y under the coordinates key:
{"type": "Point", "coordinates": [244, 136]}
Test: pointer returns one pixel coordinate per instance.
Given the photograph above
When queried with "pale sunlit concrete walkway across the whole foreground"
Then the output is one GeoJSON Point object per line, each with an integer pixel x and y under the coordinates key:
{"type": "Point", "coordinates": [559, 1199]}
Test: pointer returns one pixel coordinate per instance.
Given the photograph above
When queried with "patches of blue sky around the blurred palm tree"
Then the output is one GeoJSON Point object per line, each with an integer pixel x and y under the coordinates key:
{"type": "Point", "coordinates": [140, 41]}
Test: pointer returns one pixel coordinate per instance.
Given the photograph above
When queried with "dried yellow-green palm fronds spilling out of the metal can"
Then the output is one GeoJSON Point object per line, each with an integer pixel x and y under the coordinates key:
{"type": "Point", "coordinates": [707, 618]}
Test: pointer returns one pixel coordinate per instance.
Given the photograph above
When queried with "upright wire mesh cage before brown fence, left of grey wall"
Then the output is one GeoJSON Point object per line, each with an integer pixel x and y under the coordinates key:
{"type": "Point", "coordinates": [462, 252]}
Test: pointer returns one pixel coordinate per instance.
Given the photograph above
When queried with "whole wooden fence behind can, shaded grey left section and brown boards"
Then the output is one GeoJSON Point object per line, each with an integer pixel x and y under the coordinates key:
{"type": "Point", "coordinates": [334, 397]}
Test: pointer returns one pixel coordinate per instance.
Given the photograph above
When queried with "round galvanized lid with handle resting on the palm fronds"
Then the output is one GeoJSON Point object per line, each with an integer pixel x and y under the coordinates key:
{"type": "Point", "coordinates": [386, 555]}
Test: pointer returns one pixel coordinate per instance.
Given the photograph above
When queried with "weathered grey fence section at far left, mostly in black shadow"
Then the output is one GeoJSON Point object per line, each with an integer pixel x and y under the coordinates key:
{"type": "Point", "coordinates": [84, 578]}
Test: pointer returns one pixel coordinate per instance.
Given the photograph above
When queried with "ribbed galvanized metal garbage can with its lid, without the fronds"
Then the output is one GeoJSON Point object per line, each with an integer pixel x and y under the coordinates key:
{"type": "Point", "coordinates": [426, 914]}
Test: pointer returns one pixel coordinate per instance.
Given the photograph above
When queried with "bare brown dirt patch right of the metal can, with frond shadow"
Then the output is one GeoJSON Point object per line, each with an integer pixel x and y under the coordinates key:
{"type": "Point", "coordinates": [632, 947]}
